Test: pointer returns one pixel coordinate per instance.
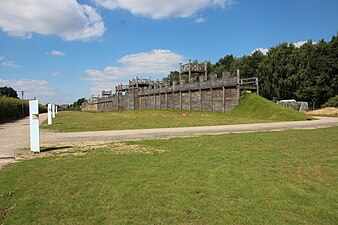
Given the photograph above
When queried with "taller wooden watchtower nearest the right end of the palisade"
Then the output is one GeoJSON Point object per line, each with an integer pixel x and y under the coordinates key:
{"type": "Point", "coordinates": [193, 70]}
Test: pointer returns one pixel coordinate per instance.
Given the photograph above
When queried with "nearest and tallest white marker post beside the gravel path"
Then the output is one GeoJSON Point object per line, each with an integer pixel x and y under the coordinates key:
{"type": "Point", "coordinates": [34, 125]}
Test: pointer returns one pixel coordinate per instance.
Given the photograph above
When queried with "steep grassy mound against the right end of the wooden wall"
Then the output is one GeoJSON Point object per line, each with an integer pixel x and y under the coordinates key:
{"type": "Point", "coordinates": [256, 107]}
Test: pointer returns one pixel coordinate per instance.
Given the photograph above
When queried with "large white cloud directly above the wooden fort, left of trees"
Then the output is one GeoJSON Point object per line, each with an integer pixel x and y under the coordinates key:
{"type": "Point", "coordinates": [156, 63]}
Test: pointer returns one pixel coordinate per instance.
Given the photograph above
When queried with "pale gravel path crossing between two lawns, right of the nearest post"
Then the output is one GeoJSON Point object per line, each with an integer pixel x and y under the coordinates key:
{"type": "Point", "coordinates": [54, 137]}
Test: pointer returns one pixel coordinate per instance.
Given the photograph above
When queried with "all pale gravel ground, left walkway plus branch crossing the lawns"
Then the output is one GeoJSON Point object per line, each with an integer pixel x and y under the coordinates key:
{"type": "Point", "coordinates": [15, 135]}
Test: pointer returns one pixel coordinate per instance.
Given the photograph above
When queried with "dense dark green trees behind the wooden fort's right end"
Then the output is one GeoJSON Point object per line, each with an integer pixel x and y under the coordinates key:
{"type": "Point", "coordinates": [306, 73]}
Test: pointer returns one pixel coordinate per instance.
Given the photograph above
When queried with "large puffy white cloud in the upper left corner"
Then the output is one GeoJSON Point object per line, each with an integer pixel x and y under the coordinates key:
{"type": "Point", "coordinates": [65, 18]}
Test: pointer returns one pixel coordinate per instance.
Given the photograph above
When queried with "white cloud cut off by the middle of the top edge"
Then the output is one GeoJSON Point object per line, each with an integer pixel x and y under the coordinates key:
{"type": "Point", "coordinates": [157, 9]}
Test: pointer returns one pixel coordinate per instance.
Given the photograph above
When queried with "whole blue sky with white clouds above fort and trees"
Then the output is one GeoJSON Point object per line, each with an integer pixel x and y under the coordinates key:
{"type": "Point", "coordinates": [62, 50]}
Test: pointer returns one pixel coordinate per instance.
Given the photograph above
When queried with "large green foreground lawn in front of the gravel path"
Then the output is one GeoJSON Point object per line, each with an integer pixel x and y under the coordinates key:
{"type": "Point", "coordinates": [287, 177]}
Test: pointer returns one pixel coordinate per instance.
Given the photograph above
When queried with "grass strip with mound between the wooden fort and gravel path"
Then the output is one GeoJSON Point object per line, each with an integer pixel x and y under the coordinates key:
{"type": "Point", "coordinates": [252, 109]}
